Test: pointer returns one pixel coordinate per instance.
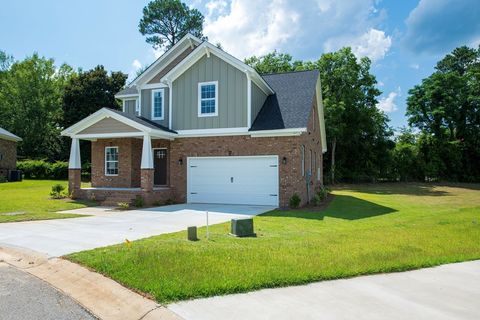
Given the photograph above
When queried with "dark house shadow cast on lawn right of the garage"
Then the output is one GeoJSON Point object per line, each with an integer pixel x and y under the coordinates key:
{"type": "Point", "coordinates": [341, 207]}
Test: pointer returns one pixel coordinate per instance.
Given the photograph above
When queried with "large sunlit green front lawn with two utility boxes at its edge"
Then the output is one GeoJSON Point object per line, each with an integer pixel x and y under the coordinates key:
{"type": "Point", "coordinates": [366, 229]}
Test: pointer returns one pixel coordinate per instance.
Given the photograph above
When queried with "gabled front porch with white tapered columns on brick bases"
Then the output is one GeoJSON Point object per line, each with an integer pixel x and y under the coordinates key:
{"type": "Point", "coordinates": [125, 165]}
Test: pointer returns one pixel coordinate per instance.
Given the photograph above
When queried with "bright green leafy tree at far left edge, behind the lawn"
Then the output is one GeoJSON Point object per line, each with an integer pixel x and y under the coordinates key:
{"type": "Point", "coordinates": [30, 105]}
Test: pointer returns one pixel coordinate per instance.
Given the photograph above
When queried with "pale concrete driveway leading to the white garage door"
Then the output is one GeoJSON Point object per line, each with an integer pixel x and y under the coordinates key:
{"type": "Point", "coordinates": [59, 237]}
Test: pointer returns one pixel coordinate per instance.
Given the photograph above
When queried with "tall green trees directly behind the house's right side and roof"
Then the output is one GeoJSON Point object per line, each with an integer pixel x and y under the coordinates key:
{"type": "Point", "coordinates": [358, 135]}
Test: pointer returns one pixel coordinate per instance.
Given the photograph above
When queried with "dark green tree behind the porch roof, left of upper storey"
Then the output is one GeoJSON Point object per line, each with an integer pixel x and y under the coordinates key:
{"type": "Point", "coordinates": [87, 92]}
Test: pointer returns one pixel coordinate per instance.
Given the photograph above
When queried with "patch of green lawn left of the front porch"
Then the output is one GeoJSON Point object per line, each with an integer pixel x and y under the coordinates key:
{"type": "Point", "coordinates": [30, 200]}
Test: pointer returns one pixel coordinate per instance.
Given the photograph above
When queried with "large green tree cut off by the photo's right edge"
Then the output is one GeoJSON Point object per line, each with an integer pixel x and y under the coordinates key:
{"type": "Point", "coordinates": [445, 107]}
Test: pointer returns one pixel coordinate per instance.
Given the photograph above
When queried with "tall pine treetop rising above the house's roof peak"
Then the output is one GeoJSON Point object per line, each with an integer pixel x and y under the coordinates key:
{"type": "Point", "coordinates": [167, 21]}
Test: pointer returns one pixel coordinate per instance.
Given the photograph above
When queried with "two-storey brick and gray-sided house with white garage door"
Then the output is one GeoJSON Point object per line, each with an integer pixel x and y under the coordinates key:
{"type": "Point", "coordinates": [199, 125]}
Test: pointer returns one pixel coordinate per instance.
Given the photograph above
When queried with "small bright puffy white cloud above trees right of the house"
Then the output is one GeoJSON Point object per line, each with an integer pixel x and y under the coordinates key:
{"type": "Point", "coordinates": [373, 44]}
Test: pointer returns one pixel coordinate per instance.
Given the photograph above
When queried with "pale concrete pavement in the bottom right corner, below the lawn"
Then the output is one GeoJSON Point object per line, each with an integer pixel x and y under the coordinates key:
{"type": "Point", "coordinates": [445, 292]}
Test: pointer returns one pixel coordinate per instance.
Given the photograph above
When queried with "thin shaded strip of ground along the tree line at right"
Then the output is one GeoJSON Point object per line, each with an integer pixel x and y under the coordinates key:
{"type": "Point", "coordinates": [411, 189]}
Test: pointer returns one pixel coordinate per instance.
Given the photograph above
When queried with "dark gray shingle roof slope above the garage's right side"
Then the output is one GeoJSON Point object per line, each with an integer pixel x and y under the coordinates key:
{"type": "Point", "coordinates": [291, 104]}
